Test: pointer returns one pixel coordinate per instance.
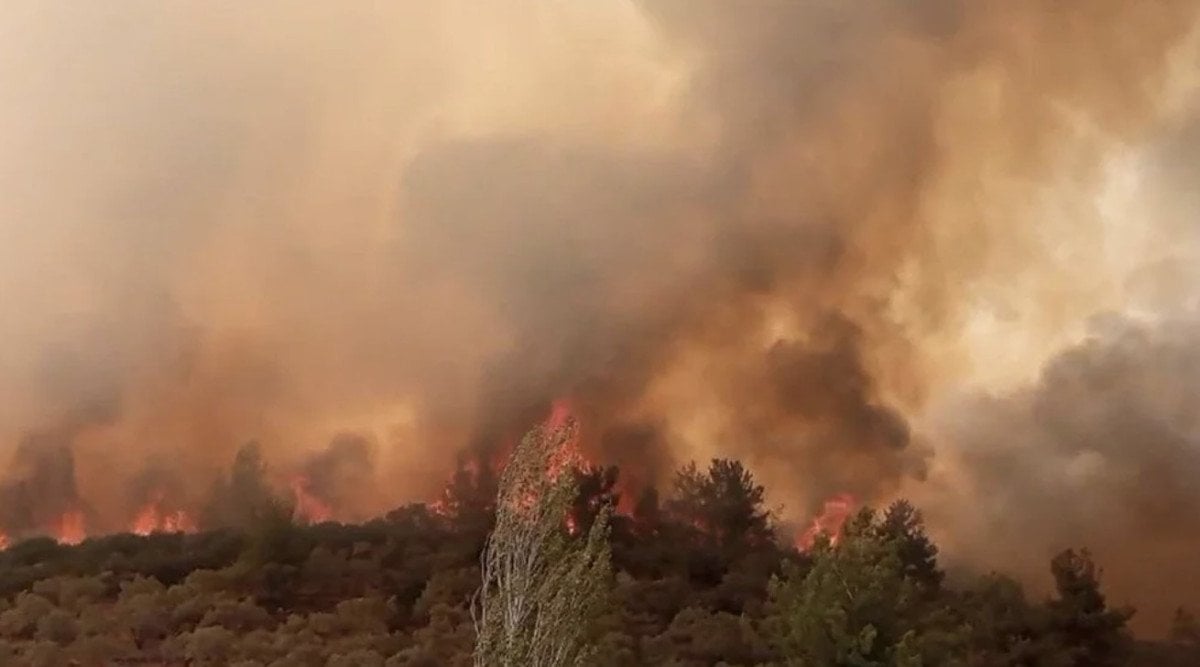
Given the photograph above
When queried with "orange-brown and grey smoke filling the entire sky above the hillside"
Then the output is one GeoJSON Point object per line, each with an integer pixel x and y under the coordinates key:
{"type": "Point", "coordinates": [938, 248]}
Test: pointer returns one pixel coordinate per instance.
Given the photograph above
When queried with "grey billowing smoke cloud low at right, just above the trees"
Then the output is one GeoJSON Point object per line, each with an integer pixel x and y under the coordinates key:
{"type": "Point", "coordinates": [1103, 450]}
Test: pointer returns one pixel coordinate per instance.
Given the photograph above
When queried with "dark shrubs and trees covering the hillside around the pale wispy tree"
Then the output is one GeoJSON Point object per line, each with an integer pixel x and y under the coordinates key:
{"type": "Point", "coordinates": [701, 575]}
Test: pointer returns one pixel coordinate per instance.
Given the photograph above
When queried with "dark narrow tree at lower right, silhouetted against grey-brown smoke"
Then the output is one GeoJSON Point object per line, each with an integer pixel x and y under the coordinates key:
{"type": "Point", "coordinates": [1095, 635]}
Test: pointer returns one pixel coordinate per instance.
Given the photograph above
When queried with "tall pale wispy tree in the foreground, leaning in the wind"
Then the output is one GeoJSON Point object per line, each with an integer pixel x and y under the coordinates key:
{"type": "Point", "coordinates": [541, 587]}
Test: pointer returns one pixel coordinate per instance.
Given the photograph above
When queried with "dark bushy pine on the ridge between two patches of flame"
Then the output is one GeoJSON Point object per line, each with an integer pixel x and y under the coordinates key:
{"type": "Point", "coordinates": [723, 503]}
